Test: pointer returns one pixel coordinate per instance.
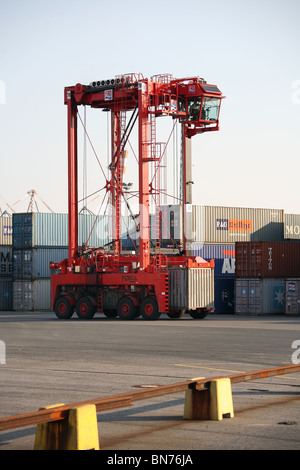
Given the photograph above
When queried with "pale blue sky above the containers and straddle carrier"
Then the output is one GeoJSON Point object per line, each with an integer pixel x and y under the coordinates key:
{"type": "Point", "coordinates": [250, 49]}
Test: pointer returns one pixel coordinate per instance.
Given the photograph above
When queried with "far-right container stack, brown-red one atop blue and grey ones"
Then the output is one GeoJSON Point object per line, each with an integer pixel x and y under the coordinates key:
{"type": "Point", "coordinates": [262, 270]}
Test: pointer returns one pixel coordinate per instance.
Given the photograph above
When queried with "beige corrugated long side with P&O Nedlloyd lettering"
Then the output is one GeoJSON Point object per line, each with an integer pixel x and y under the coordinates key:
{"type": "Point", "coordinates": [216, 224]}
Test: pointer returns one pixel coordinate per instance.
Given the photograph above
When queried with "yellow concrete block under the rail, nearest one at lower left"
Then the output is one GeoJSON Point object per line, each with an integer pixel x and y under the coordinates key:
{"type": "Point", "coordinates": [78, 432]}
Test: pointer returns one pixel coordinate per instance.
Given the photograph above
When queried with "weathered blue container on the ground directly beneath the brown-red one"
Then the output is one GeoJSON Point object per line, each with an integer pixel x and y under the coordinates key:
{"type": "Point", "coordinates": [260, 296]}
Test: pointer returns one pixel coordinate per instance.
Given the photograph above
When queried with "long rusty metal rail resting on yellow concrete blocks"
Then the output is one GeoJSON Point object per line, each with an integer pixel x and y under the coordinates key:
{"type": "Point", "coordinates": [125, 399]}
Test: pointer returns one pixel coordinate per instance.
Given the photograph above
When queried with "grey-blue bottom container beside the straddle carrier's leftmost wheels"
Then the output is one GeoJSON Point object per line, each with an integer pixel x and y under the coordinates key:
{"type": "Point", "coordinates": [32, 295]}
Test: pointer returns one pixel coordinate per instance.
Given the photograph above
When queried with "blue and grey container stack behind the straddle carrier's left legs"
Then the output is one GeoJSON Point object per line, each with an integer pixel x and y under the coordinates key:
{"type": "Point", "coordinates": [38, 239]}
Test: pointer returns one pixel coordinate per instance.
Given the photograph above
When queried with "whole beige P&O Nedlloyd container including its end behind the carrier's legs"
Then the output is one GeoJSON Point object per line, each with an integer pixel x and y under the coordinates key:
{"type": "Point", "coordinates": [216, 224]}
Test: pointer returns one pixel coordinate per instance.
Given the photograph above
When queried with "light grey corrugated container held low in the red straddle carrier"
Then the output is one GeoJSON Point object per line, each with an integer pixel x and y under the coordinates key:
{"type": "Point", "coordinates": [191, 288]}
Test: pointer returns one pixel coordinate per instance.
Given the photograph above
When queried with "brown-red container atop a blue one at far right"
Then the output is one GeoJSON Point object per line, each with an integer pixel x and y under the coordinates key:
{"type": "Point", "coordinates": [267, 259]}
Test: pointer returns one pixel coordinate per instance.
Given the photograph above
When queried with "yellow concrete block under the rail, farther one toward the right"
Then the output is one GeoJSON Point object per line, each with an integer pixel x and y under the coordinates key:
{"type": "Point", "coordinates": [215, 403]}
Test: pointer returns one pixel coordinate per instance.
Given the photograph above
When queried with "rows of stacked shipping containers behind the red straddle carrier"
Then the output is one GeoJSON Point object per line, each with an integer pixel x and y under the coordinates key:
{"type": "Point", "coordinates": [242, 284]}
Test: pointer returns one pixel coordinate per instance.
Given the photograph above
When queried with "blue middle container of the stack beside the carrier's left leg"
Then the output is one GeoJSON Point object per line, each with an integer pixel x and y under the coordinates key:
{"type": "Point", "coordinates": [34, 263]}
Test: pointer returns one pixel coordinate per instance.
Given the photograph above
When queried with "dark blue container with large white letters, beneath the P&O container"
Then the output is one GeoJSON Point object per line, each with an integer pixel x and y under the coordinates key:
{"type": "Point", "coordinates": [224, 256]}
